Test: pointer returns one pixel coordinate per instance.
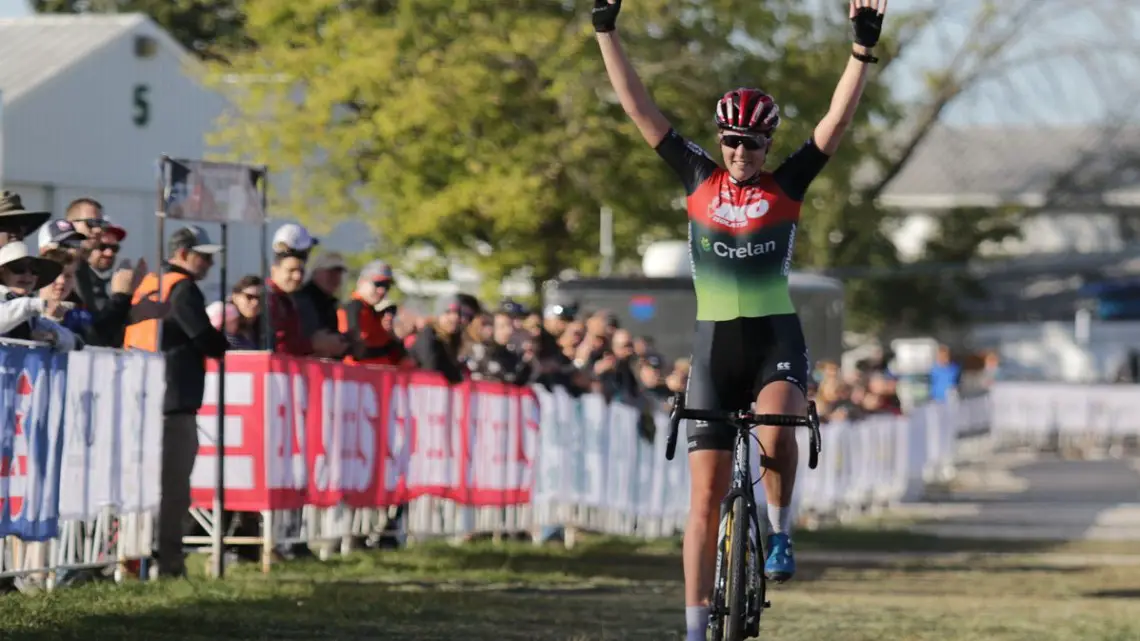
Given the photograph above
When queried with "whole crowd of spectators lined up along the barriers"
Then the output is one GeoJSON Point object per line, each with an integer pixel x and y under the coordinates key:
{"type": "Point", "coordinates": [71, 294]}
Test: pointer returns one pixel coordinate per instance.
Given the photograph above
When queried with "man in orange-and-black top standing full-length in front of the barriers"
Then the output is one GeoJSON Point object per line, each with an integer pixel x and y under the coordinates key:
{"type": "Point", "coordinates": [188, 339]}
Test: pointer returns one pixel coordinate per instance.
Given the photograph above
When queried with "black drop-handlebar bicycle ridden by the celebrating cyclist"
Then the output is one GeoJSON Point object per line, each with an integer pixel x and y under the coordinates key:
{"type": "Point", "coordinates": [739, 593]}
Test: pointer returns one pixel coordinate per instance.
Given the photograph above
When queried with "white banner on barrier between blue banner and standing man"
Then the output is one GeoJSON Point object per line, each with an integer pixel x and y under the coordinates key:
{"type": "Point", "coordinates": [112, 450]}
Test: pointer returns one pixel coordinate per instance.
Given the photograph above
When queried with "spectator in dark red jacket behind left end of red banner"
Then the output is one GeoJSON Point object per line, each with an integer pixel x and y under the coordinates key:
{"type": "Point", "coordinates": [286, 279]}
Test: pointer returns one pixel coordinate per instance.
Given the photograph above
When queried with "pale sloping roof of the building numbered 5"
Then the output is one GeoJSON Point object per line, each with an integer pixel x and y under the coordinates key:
{"type": "Point", "coordinates": [36, 50]}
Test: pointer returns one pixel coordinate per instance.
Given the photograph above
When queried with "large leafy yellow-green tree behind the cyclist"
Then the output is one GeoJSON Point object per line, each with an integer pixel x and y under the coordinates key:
{"type": "Point", "coordinates": [474, 125]}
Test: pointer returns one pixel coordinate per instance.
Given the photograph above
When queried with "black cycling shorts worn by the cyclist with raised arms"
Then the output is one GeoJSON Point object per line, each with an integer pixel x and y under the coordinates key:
{"type": "Point", "coordinates": [734, 361]}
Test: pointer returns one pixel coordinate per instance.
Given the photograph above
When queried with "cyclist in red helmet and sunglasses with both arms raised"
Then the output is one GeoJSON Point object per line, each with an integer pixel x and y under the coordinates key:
{"type": "Point", "coordinates": [743, 221]}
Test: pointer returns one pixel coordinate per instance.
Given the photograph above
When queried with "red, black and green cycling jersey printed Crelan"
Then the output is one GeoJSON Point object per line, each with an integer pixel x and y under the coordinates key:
{"type": "Point", "coordinates": [742, 236]}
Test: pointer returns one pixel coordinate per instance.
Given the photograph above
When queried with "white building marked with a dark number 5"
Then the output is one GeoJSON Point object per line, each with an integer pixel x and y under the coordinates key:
{"type": "Point", "coordinates": [91, 103]}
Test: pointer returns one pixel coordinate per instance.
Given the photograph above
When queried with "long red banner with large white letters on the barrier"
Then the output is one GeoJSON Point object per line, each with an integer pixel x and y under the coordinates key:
{"type": "Point", "coordinates": [311, 433]}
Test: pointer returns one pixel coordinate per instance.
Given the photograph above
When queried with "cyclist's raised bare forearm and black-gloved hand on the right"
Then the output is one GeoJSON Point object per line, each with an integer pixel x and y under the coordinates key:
{"type": "Point", "coordinates": [867, 19]}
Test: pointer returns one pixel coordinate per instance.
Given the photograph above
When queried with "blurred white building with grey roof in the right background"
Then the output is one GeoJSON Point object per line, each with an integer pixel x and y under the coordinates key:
{"type": "Point", "coordinates": [1082, 189]}
